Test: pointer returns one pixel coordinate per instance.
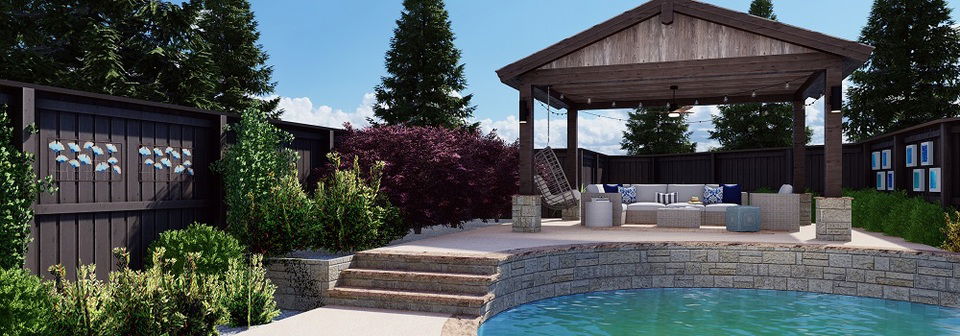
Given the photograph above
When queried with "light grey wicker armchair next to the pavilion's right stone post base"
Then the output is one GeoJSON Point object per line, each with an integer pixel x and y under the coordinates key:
{"type": "Point", "coordinates": [782, 212]}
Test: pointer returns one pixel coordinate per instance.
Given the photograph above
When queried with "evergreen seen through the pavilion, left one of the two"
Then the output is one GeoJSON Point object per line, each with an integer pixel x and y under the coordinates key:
{"type": "Point", "coordinates": [653, 131]}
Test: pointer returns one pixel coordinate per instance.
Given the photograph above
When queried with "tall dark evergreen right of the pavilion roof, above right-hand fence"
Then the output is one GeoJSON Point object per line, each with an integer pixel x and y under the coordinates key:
{"type": "Point", "coordinates": [913, 75]}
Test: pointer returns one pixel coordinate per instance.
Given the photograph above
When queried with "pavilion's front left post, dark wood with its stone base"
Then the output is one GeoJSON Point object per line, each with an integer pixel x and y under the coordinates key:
{"type": "Point", "coordinates": [526, 205]}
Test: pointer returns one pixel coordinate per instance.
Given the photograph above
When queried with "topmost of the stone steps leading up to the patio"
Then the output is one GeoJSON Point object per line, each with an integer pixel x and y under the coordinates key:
{"type": "Point", "coordinates": [417, 262]}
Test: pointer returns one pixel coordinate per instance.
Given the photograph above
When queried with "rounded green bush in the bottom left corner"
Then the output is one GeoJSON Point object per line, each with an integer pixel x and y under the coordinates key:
{"type": "Point", "coordinates": [25, 303]}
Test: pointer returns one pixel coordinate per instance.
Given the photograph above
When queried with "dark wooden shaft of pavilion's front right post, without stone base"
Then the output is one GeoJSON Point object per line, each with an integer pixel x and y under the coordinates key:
{"type": "Point", "coordinates": [833, 135]}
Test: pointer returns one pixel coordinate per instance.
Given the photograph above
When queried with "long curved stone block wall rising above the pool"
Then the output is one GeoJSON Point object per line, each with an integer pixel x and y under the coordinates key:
{"type": "Point", "coordinates": [535, 274]}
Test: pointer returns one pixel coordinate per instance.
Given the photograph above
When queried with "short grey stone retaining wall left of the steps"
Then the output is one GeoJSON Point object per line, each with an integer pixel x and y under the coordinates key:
{"type": "Point", "coordinates": [302, 283]}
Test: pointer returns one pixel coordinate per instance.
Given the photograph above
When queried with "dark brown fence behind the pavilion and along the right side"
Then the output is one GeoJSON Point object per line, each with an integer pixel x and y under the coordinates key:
{"type": "Point", "coordinates": [770, 168]}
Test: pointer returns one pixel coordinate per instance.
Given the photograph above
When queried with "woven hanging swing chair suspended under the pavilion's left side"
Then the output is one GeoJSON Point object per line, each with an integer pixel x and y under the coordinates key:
{"type": "Point", "coordinates": [550, 179]}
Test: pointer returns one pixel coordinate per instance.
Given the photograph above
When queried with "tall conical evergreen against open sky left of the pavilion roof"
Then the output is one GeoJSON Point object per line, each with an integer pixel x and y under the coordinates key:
{"type": "Point", "coordinates": [425, 78]}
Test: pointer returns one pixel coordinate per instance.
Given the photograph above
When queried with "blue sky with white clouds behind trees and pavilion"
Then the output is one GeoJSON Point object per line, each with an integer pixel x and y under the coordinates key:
{"type": "Point", "coordinates": [328, 55]}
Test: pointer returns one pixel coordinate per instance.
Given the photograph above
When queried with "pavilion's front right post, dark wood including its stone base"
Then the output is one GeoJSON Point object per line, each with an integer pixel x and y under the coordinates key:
{"type": "Point", "coordinates": [834, 215]}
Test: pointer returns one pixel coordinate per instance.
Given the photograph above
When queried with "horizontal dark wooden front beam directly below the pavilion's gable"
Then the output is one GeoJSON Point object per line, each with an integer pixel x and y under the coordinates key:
{"type": "Point", "coordinates": [680, 69]}
